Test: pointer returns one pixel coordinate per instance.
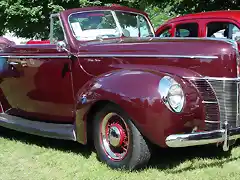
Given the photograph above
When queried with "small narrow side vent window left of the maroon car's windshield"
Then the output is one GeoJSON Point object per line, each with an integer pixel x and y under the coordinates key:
{"type": "Point", "coordinates": [57, 31]}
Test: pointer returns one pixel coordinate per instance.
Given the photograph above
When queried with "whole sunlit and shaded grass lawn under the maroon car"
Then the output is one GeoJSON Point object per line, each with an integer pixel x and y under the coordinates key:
{"type": "Point", "coordinates": [27, 157]}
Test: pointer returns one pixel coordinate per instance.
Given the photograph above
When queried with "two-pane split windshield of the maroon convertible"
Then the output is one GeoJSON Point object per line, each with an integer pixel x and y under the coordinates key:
{"type": "Point", "coordinates": [109, 24]}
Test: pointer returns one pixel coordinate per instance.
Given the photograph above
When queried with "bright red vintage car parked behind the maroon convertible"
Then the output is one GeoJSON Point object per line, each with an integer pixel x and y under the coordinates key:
{"type": "Point", "coordinates": [216, 24]}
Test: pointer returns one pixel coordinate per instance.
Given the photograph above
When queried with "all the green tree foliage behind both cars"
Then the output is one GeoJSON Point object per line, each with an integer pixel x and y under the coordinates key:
{"type": "Point", "coordinates": [30, 18]}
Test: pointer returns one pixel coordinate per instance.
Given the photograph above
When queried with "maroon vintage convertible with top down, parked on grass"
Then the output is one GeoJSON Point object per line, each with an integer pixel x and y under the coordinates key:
{"type": "Point", "coordinates": [105, 77]}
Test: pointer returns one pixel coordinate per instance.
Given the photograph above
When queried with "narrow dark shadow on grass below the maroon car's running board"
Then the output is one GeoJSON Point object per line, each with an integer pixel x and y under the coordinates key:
{"type": "Point", "coordinates": [61, 145]}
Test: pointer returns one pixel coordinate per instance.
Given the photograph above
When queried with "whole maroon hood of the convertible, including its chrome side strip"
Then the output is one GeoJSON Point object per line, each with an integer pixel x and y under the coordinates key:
{"type": "Point", "coordinates": [197, 54]}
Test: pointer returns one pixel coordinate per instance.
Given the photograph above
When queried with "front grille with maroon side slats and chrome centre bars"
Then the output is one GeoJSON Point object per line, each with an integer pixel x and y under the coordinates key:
{"type": "Point", "coordinates": [221, 100]}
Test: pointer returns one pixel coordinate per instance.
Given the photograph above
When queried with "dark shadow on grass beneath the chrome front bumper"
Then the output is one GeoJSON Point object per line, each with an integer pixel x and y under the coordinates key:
{"type": "Point", "coordinates": [169, 159]}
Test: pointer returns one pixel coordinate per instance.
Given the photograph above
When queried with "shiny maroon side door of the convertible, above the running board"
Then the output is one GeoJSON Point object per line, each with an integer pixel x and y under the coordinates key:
{"type": "Point", "coordinates": [38, 84]}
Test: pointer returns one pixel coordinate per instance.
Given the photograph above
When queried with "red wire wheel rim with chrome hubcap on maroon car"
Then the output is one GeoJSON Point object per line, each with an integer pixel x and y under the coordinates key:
{"type": "Point", "coordinates": [114, 136]}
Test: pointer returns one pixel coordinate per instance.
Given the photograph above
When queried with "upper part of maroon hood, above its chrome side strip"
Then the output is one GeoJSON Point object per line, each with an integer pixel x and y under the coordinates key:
{"type": "Point", "coordinates": [154, 46]}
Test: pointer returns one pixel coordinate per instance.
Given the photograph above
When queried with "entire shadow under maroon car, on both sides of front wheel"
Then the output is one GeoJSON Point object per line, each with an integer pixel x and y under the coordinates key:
{"type": "Point", "coordinates": [163, 159]}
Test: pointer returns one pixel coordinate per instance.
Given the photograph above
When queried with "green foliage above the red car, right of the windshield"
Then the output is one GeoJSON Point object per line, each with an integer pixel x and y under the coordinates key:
{"type": "Point", "coordinates": [161, 11]}
